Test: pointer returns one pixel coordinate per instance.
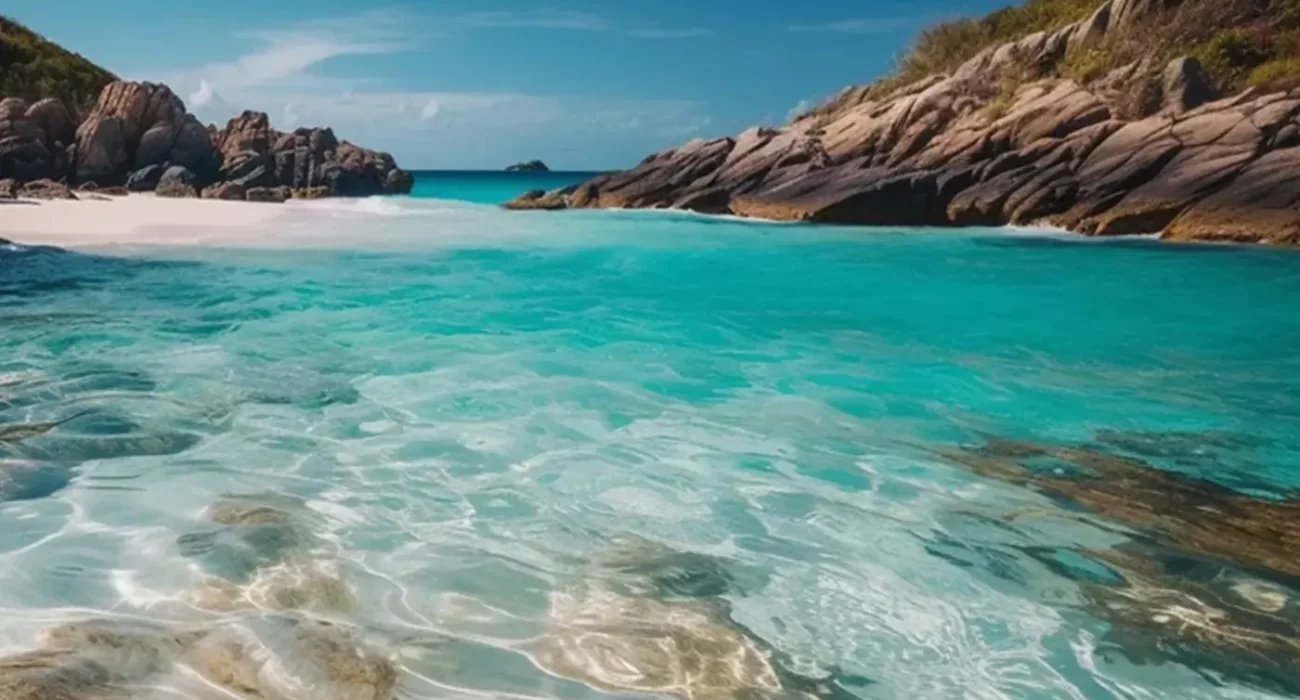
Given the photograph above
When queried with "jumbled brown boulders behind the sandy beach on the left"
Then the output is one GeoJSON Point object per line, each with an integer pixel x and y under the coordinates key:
{"type": "Point", "coordinates": [140, 131]}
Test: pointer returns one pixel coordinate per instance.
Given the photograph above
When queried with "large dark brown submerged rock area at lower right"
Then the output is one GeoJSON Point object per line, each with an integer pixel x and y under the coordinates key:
{"type": "Point", "coordinates": [1210, 577]}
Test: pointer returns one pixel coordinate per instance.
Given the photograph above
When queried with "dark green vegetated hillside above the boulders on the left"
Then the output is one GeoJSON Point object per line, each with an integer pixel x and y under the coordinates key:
{"type": "Point", "coordinates": [33, 68]}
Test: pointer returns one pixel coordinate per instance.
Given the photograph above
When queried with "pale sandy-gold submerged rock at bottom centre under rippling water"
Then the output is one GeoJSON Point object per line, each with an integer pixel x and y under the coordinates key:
{"type": "Point", "coordinates": [651, 620]}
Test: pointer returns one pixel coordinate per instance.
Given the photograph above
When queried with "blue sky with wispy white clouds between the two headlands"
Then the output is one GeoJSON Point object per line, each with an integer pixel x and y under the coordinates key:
{"type": "Point", "coordinates": [483, 84]}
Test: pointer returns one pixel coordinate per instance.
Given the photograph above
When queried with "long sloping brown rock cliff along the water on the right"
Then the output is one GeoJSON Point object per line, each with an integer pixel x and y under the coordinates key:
{"type": "Point", "coordinates": [970, 148]}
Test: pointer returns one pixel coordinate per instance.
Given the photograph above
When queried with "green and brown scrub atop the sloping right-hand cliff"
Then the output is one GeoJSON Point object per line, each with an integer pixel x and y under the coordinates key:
{"type": "Point", "coordinates": [1241, 44]}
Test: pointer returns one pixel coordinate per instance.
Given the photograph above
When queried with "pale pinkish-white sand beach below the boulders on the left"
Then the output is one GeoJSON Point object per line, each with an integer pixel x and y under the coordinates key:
{"type": "Point", "coordinates": [131, 221]}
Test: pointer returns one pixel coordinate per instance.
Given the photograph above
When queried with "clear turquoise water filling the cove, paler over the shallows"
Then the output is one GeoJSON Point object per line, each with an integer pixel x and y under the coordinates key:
{"type": "Point", "coordinates": [476, 405]}
